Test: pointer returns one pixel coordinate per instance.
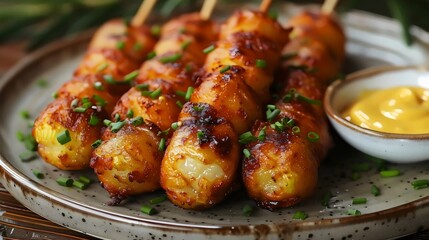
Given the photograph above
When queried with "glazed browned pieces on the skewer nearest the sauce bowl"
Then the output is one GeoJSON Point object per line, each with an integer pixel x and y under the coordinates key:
{"type": "Point", "coordinates": [280, 168]}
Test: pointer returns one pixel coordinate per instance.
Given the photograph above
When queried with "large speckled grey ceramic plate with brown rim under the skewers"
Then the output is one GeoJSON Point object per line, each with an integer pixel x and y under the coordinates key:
{"type": "Point", "coordinates": [399, 210]}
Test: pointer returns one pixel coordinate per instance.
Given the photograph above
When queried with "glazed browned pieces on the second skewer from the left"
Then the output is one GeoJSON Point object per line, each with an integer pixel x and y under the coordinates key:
{"type": "Point", "coordinates": [128, 161]}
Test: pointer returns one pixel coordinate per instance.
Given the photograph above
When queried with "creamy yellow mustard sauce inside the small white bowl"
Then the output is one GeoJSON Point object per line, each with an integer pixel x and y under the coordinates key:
{"type": "Point", "coordinates": [392, 110]}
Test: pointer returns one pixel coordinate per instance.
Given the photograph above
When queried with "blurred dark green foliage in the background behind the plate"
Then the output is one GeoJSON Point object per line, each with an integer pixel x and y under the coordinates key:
{"type": "Point", "coordinates": [42, 21]}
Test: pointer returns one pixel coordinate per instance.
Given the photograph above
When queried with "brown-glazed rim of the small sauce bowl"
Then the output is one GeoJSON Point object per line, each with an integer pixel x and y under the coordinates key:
{"type": "Point", "coordinates": [356, 76]}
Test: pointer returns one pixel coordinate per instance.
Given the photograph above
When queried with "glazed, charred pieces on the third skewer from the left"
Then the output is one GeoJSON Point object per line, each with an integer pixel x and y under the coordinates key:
{"type": "Point", "coordinates": [201, 162]}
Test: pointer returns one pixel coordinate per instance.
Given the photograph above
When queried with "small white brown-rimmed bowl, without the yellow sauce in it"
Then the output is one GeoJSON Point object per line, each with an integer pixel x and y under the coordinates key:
{"type": "Point", "coordinates": [393, 147]}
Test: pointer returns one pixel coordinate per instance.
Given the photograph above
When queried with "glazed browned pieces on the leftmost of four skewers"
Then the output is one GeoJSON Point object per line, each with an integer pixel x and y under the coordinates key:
{"type": "Point", "coordinates": [69, 125]}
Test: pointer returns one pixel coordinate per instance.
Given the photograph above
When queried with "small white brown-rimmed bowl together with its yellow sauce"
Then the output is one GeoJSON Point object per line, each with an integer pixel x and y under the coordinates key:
{"type": "Point", "coordinates": [383, 112]}
